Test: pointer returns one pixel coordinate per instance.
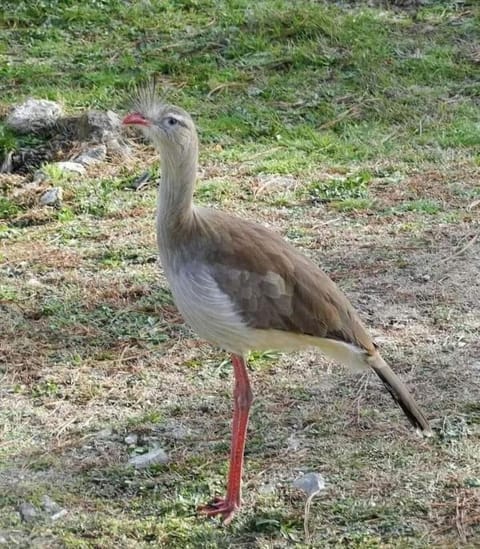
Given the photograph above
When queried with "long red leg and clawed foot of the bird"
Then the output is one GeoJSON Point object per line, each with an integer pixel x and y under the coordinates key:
{"type": "Point", "coordinates": [242, 395]}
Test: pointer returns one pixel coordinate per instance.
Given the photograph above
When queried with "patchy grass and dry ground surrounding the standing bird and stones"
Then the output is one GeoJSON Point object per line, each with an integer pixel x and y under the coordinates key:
{"type": "Point", "coordinates": [370, 115]}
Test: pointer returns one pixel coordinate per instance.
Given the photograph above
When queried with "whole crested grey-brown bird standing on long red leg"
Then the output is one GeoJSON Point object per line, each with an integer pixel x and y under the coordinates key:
{"type": "Point", "coordinates": [243, 288]}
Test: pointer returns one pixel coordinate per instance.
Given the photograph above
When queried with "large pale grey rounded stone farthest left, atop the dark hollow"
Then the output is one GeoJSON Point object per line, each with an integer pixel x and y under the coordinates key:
{"type": "Point", "coordinates": [34, 116]}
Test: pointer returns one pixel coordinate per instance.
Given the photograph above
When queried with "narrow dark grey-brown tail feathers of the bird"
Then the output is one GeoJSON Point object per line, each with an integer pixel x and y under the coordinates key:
{"type": "Point", "coordinates": [400, 394]}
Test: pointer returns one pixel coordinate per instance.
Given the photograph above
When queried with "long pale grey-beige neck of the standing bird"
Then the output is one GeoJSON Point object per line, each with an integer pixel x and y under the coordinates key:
{"type": "Point", "coordinates": [175, 193]}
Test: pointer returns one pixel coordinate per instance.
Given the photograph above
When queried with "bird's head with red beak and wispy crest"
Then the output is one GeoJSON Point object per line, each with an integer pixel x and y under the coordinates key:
{"type": "Point", "coordinates": [170, 129]}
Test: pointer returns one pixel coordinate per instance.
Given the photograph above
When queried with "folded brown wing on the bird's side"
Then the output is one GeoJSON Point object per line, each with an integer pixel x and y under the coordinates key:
{"type": "Point", "coordinates": [273, 285]}
